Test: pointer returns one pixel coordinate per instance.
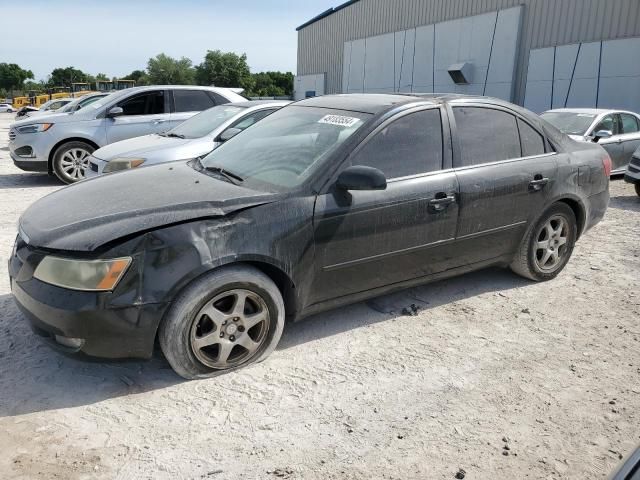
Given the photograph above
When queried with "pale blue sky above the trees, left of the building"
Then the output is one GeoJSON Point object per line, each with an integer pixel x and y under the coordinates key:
{"type": "Point", "coordinates": [116, 37]}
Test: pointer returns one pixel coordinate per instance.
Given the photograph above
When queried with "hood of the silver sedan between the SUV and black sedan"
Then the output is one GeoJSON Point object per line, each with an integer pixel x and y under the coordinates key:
{"type": "Point", "coordinates": [156, 148]}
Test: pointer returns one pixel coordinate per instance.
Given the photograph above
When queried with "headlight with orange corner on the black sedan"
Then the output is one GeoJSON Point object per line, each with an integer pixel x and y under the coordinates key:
{"type": "Point", "coordinates": [88, 275]}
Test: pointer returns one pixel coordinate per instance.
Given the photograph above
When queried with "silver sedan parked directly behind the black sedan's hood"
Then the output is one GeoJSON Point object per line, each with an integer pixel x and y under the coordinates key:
{"type": "Point", "coordinates": [195, 137]}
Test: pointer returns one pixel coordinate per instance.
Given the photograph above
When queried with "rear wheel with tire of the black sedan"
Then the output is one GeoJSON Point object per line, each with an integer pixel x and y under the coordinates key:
{"type": "Point", "coordinates": [547, 246]}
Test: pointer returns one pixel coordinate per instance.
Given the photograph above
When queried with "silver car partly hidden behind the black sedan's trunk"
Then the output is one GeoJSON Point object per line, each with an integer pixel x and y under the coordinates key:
{"type": "Point", "coordinates": [617, 131]}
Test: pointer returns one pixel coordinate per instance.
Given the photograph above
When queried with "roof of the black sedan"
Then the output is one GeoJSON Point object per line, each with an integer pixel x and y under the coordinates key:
{"type": "Point", "coordinates": [376, 103]}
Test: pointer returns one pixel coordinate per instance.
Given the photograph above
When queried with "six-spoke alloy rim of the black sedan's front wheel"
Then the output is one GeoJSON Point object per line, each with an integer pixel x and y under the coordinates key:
{"type": "Point", "coordinates": [230, 329]}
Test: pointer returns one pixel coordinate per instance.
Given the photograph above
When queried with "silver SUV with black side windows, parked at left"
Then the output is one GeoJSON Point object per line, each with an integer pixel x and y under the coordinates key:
{"type": "Point", "coordinates": [62, 144]}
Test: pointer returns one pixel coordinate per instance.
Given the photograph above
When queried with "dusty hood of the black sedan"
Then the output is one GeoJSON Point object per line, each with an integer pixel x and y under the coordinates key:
{"type": "Point", "coordinates": [92, 213]}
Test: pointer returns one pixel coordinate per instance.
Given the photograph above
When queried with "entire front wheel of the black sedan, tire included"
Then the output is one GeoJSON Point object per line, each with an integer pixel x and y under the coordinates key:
{"type": "Point", "coordinates": [225, 320]}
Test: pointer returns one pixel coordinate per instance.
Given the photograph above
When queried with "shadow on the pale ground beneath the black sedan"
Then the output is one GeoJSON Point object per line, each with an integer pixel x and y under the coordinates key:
{"type": "Point", "coordinates": [33, 377]}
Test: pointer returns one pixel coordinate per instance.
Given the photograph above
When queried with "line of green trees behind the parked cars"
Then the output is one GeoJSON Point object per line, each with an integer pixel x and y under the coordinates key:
{"type": "Point", "coordinates": [222, 69]}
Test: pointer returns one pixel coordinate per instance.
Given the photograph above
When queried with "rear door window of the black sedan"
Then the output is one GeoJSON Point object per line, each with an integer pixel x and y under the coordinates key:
{"type": "Point", "coordinates": [485, 135]}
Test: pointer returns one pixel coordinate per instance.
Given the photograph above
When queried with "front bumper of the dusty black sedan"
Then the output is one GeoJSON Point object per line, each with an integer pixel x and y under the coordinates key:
{"type": "Point", "coordinates": [102, 326]}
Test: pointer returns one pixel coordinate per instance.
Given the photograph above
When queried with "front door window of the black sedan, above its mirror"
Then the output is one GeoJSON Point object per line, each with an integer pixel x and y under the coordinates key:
{"type": "Point", "coordinates": [410, 145]}
